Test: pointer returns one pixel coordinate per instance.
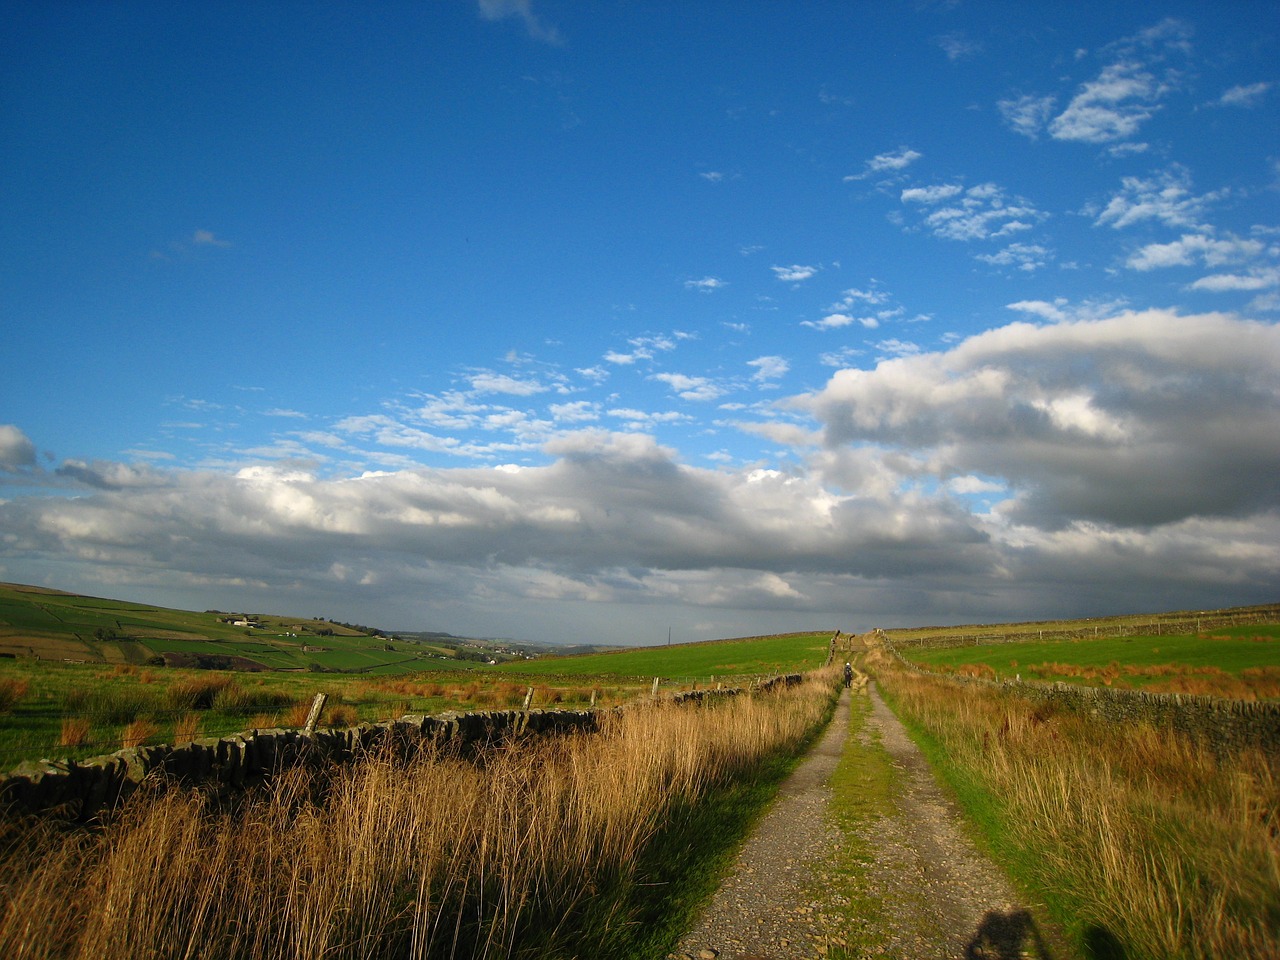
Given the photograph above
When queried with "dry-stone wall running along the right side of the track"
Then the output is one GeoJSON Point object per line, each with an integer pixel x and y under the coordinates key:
{"type": "Point", "coordinates": [1224, 725]}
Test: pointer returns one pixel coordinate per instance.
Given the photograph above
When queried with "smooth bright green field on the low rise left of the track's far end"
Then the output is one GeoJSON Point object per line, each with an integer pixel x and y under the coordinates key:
{"type": "Point", "coordinates": [723, 659]}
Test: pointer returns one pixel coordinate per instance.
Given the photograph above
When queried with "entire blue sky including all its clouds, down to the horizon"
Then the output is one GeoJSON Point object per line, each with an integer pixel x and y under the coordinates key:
{"type": "Point", "coordinates": [583, 322]}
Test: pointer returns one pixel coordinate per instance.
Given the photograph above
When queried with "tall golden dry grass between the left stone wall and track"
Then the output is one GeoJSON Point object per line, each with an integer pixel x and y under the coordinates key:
{"type": "Point", "coordinates": [524, 852]}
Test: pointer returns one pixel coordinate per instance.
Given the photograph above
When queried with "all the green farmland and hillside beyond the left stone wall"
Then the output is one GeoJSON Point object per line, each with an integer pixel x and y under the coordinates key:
{"type": "Point", "coordinates": [84, 676]}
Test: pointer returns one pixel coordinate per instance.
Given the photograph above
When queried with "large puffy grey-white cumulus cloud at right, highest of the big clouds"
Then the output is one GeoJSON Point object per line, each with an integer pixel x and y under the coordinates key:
{"type": "Point", "coordinates": [1126, 420]}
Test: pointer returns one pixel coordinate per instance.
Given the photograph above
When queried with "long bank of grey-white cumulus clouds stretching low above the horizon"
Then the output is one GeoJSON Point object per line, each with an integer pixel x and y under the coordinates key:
{"type": "Point", "coordinates": [1118, 460]}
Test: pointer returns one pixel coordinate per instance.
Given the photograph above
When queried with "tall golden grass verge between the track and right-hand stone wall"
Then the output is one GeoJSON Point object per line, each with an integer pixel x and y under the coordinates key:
{"type": "Point", "coordinates": [1135, 831]}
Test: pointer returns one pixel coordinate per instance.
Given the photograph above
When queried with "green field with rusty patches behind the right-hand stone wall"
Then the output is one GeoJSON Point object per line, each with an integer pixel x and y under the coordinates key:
{"type": "Point", "coordinates": [1229, 662]}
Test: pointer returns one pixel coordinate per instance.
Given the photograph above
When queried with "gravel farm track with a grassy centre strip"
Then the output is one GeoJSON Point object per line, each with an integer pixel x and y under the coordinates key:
{"type": "Point", "coordinates": [927, 892]}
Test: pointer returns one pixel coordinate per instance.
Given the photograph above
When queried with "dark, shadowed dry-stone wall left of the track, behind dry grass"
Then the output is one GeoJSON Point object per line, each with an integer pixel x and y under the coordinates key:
{"type": "Point", "coordinates": [80, 789]}
